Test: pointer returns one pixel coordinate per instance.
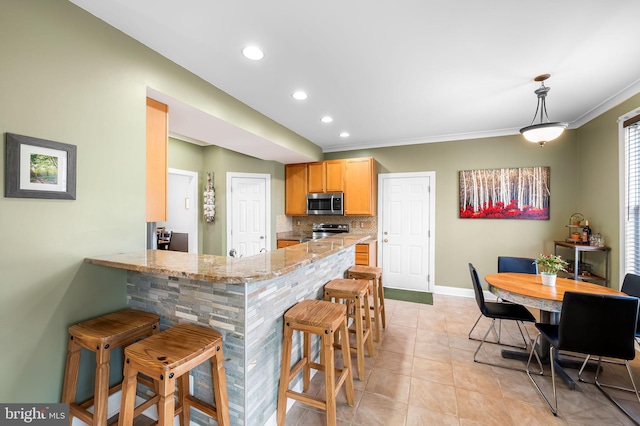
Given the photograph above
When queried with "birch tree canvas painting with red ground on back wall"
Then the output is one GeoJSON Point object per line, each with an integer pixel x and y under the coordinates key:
{"type": "Point", "coordinates": [519, 193]}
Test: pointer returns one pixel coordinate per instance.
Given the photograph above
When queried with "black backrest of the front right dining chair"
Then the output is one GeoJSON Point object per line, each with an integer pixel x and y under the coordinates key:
{"type": "Point", "coordinates": [599, 325]}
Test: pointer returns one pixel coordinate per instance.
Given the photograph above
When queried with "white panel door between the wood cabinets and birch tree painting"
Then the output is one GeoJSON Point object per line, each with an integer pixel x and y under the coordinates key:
{"type": "Point", "coordinates": [406, 204]}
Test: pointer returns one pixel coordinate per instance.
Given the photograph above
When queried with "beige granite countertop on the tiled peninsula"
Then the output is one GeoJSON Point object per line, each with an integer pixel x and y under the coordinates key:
{"type": "Point", "coordinates": [229, 270]}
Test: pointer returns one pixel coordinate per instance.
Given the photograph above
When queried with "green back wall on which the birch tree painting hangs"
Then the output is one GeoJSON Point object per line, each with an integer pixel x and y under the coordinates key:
{"type": "Point", "coordinates": [480, 241]}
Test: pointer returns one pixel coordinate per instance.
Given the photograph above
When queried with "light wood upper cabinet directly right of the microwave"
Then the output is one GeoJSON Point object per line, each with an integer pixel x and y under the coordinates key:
{"type": "Point", "coordinates": [360, 186]}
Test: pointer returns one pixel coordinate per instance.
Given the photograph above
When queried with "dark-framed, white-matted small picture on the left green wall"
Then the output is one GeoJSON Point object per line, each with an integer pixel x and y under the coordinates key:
{"type": "Point", "coordinates": [39, 168]}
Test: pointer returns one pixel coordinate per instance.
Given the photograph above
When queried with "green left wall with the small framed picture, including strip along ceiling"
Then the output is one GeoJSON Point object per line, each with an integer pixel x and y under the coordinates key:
{"type": "Point", "coordinates": [69, 77]}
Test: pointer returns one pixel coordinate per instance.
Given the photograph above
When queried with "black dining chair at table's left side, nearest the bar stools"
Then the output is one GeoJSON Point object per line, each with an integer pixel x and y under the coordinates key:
{"type": "Point", "coordinates": [500, 311]}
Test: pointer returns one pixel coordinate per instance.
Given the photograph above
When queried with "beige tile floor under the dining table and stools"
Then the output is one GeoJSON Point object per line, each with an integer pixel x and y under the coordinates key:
{"type": "Point", "coordinates": [423, 374]}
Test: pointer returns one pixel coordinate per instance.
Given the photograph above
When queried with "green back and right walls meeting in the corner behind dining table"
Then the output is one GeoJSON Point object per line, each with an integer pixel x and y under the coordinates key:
{"type": "Point", "coordinates": [585, 177]}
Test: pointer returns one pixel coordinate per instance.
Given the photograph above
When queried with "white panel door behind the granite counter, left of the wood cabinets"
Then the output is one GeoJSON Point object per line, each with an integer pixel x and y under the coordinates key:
{"type": "Point", "coordinates": [248, 233]}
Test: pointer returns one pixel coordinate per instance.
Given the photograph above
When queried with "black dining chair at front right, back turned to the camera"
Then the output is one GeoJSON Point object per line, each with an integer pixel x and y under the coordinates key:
{"type": "Point", "coordinates": [593, 325]}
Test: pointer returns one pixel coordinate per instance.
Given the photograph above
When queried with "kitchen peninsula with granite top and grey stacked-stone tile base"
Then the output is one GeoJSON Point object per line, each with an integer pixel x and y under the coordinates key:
{"type": "Point", "coordinates": [242, 298]}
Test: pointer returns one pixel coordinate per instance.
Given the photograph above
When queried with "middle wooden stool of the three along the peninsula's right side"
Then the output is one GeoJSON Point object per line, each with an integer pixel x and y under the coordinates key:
{"type": "Point", "coordinates": [354, 293]}
